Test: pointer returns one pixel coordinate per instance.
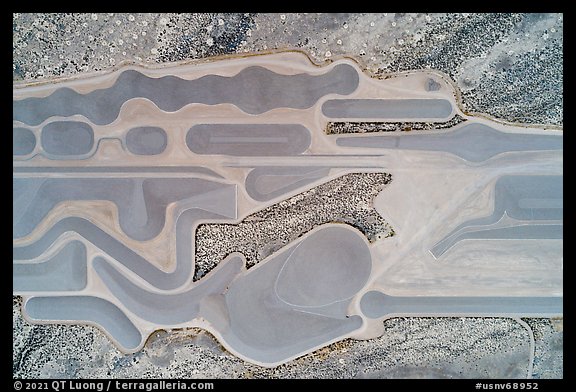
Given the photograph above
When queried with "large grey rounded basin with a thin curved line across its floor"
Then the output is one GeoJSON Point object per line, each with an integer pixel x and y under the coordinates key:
{"type": "Point", "coordinates": [289, 305]}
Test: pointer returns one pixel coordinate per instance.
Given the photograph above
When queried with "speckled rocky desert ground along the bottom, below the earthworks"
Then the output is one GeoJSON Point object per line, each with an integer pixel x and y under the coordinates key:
{"type": "Point", "coordinates": [410, 348]}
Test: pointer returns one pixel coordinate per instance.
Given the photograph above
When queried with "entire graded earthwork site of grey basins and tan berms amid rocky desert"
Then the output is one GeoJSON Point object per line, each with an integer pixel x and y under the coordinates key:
{"type": "Point", "coordinates": [218, 197]}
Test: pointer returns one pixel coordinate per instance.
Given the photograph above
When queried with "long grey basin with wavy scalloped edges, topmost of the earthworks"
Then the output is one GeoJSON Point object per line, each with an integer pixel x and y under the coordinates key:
{"type": "Point", "coordinates": [255, 90]}
